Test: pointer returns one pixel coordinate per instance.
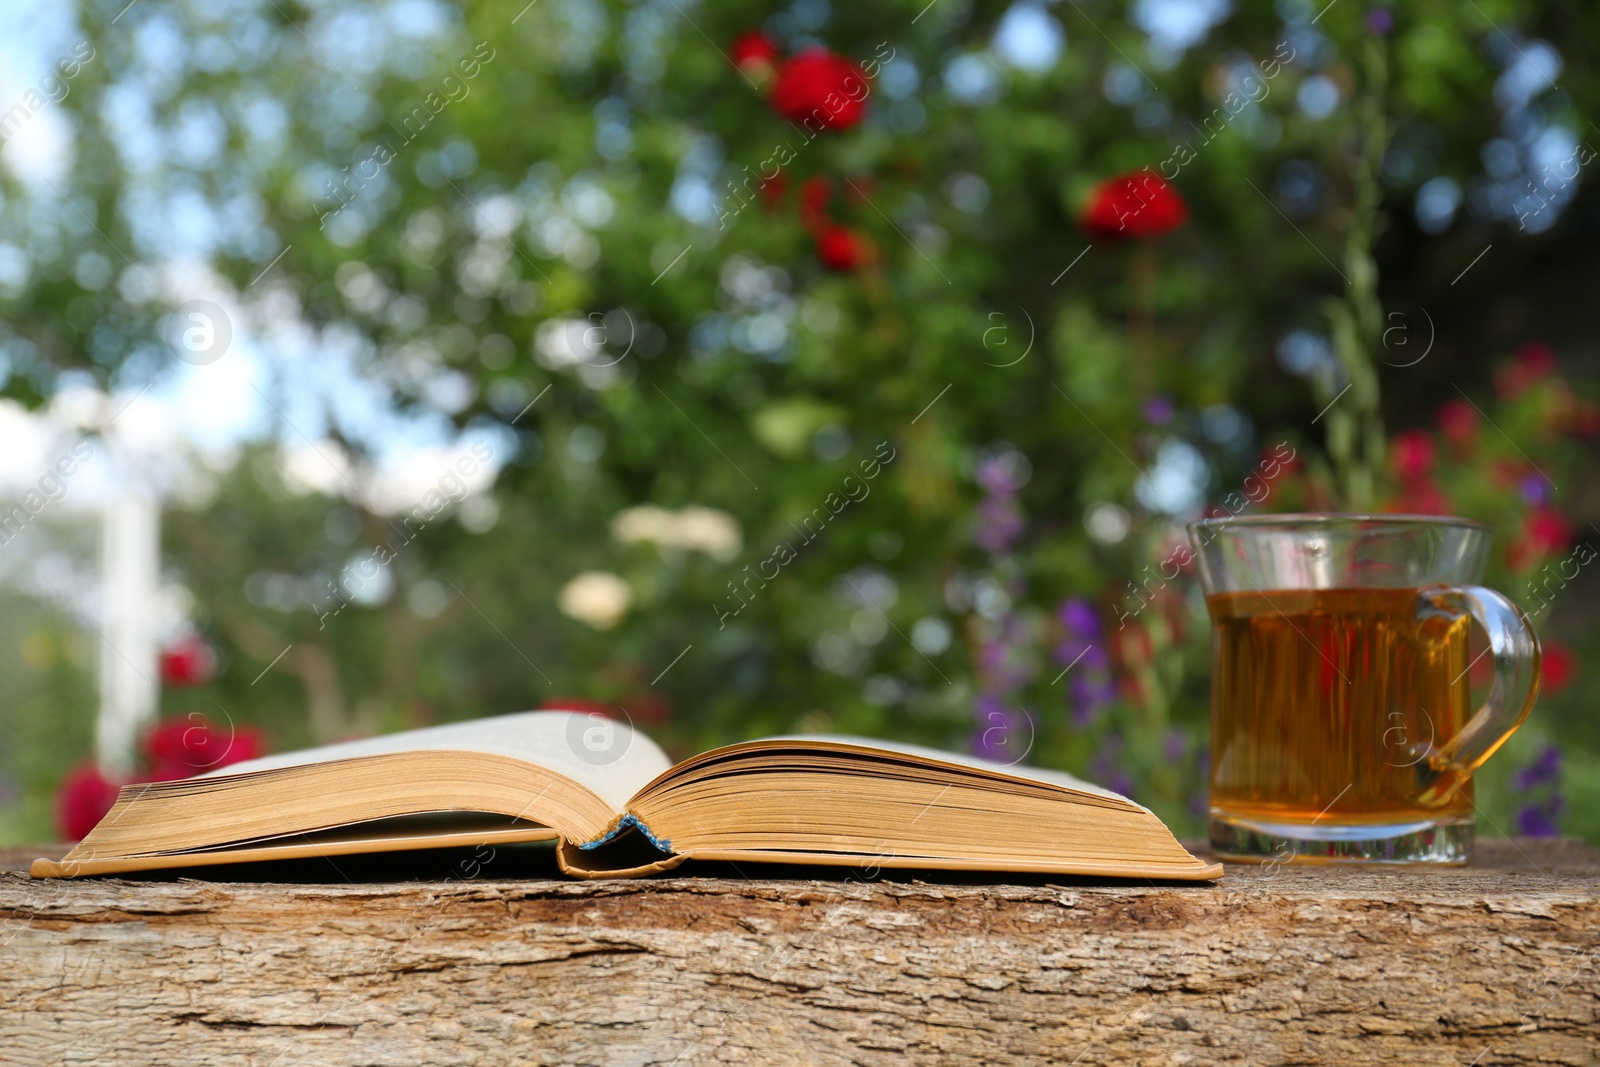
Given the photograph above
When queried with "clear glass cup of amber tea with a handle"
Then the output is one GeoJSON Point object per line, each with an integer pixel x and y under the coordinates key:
{"type": "Point", "coordinates": [1342, 722]}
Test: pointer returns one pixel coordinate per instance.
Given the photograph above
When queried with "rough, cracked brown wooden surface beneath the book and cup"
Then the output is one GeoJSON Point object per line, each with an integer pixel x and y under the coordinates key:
{"type": "Point", "coordinates": [1495, 964]}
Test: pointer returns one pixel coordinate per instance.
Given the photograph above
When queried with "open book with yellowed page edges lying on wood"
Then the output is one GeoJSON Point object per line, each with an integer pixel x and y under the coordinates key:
{"type": "Point", "coordinates": [617, 807]}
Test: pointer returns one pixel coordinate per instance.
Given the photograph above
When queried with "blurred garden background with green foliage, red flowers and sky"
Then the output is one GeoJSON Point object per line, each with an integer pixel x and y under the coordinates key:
{"type": "Point", "coordinates": [753, 369]}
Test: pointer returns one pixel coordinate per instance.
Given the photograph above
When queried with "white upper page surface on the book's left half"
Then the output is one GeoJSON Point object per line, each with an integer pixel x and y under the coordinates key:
{"type": "Point", "coordinates": [610, 759]}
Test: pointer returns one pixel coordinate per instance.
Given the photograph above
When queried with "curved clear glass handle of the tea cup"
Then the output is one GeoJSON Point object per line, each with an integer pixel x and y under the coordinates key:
{"type": "Point", "coordinates": [1514, 650]}
